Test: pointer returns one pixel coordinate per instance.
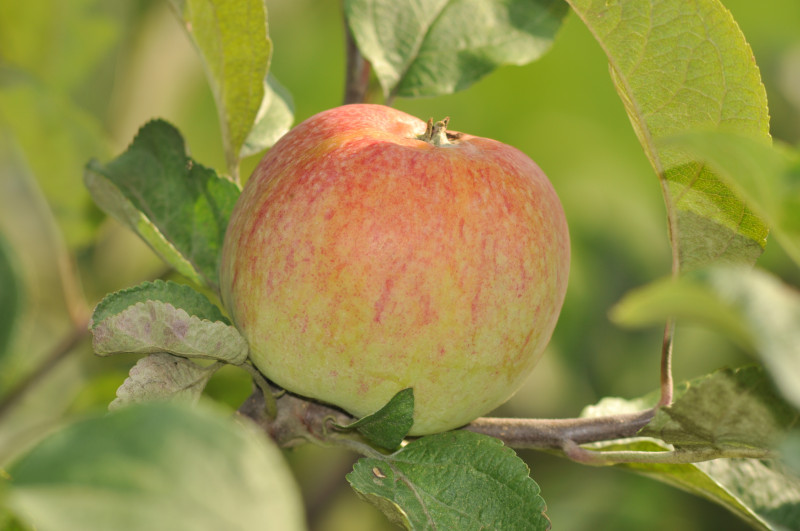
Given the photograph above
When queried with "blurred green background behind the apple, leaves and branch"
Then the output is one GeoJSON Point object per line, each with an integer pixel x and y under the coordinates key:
{"type": "Point", "coordinates": [79, 77]}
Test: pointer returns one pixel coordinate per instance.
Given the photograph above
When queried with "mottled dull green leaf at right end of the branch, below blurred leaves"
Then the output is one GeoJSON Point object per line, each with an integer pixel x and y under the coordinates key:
{"type": "Point", "coordinates": [727, 409]}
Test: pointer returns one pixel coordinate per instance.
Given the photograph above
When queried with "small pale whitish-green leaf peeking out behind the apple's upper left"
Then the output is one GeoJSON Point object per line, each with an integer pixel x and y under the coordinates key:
{"type": "Point", "coordinates": [275, 118]}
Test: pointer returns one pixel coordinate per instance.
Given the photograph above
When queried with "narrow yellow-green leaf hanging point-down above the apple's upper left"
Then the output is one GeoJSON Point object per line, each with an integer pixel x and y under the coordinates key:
{"type": "Point", "coordinates": [235, 48]}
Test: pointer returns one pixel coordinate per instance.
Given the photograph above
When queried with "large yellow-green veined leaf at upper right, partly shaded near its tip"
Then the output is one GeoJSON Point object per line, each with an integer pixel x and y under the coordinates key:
{"type": "Point", "coordinates": [683, 65]}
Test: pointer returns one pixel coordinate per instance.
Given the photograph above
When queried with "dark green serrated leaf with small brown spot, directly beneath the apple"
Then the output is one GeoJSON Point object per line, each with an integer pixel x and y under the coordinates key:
{"type": "Point", "coordinates": [453, 480]}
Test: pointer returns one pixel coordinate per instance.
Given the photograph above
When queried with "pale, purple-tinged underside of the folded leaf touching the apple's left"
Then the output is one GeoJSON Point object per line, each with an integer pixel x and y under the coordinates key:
{"type": "Point", "coordinates": [154, 326]}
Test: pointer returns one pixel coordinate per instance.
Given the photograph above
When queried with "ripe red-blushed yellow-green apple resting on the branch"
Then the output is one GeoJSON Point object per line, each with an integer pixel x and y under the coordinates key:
{"type": "Point", "coordinates": [361, 260]}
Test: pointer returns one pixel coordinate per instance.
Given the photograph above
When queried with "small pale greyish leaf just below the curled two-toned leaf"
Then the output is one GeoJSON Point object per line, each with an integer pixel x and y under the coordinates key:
{"type": "Point", "coordinates": [163, 376]}
